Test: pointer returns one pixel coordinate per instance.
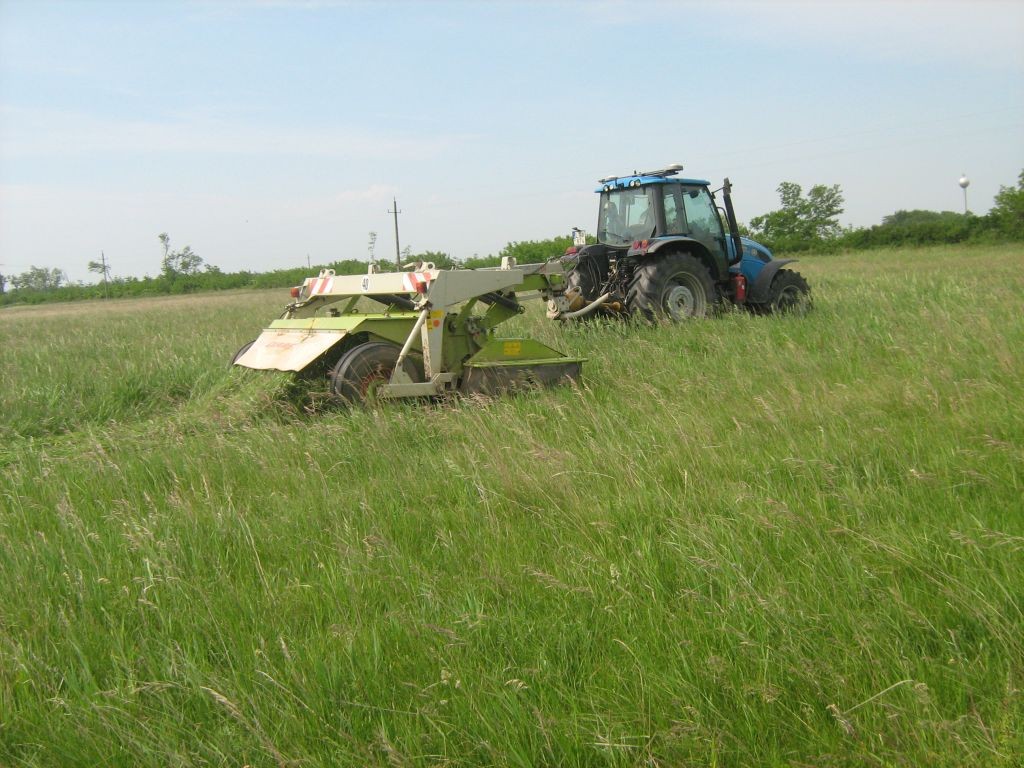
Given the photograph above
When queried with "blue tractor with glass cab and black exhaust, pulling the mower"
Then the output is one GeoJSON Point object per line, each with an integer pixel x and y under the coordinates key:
{"type": "Point", "coordinates": [664, 253]}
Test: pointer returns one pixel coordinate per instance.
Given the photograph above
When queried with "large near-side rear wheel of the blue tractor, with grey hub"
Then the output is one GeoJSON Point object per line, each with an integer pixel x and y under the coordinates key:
{"type": "Point", "coordinates": [674, 288]}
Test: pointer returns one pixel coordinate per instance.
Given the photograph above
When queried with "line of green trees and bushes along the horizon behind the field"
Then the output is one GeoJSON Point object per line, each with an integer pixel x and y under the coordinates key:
{"type": "Point", "coordinates": [803, 223]}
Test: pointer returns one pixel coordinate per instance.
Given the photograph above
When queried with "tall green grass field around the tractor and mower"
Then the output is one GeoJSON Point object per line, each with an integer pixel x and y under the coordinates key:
{"type": "Point", "coordinates": [739, 542]}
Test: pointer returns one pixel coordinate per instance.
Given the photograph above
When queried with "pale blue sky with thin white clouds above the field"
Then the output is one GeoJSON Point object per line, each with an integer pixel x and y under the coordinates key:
{"type": "Point", "coordinates": [261, 133]}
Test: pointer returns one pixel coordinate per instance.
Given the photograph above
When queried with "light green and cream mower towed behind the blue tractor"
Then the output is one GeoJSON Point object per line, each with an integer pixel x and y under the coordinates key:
{"type": "Point", "coordinates": [426, 333]}
